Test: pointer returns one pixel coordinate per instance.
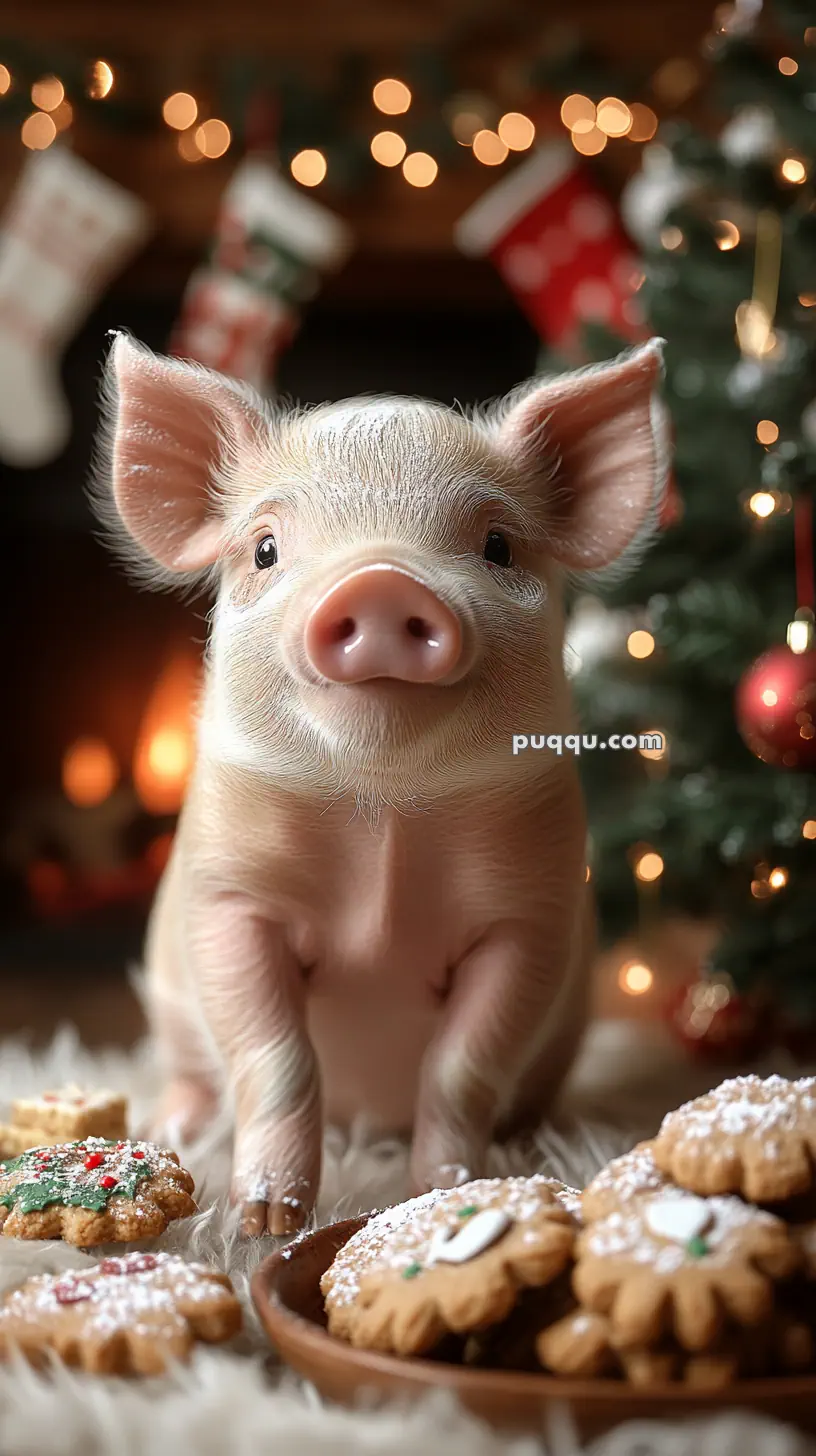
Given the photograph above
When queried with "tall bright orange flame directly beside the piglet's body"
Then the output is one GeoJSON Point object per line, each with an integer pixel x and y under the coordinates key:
{"type": "Point", "coordinates": [167, 740]}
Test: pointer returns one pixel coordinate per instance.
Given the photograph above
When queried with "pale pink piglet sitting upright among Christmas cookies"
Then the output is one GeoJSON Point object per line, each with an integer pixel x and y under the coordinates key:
{"type": "Point", "coordinates": [372, 905]}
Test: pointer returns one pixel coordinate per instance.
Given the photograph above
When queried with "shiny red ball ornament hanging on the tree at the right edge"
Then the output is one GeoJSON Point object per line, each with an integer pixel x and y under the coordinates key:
{"type": "Point", "coordinates": [776, 708]}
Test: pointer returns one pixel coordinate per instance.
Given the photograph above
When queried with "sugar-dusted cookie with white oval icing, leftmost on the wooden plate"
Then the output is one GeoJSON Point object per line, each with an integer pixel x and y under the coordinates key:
{"type": "Point", "coordinates": [452, 1260]}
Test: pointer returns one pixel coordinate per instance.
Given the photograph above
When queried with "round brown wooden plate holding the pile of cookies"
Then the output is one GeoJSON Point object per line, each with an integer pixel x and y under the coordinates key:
{"type": "Point", "coordinates": [288, 1298]}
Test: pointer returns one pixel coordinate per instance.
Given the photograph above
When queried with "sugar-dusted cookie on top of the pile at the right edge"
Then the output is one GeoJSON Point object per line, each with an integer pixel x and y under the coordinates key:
{"type": "Point", "coordinates": [756, 1136]}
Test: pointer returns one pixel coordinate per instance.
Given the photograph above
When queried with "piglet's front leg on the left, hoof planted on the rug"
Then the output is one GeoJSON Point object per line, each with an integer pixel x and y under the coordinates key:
{"type": "Point", "coordinates": [253, 995]}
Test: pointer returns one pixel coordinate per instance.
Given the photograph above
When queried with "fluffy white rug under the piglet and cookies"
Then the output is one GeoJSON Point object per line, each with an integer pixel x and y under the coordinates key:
{"type": "Point", "coordinates": [241, 1401]}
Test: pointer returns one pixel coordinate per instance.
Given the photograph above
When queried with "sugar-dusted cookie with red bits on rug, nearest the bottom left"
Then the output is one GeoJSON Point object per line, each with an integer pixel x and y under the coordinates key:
{"type": "Point", "coordinates": [122, 1317]}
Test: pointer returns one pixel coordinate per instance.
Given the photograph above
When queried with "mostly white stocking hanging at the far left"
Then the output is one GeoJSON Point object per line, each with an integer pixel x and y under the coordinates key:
{"type": "Point", "coordinates": [66, 232]}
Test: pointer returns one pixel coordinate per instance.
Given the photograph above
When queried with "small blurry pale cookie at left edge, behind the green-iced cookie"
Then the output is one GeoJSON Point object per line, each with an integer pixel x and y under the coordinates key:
{"type": "Point", "coordinates": [62, 1116]}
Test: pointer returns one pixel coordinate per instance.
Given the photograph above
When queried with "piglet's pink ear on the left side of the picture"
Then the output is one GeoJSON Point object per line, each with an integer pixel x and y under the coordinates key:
{"type": "Point", "coordinates": [171, 429]}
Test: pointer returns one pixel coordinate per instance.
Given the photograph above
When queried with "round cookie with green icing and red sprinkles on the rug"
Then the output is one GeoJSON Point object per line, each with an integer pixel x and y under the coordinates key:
{"type": "Point", "coordinates": [94, 1192]}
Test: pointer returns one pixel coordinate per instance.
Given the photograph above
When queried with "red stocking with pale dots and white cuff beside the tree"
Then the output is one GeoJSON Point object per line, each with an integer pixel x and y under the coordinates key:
{"type": "Point", "coordinates": [559, 244]}
